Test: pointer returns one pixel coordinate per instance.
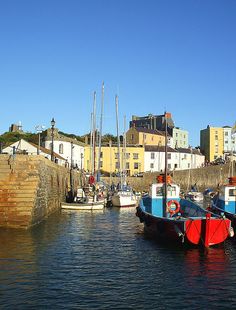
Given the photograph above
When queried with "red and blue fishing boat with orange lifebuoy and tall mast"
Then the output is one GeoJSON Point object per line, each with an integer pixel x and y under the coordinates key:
{"type": "Point", "coordinates": [168, 217]}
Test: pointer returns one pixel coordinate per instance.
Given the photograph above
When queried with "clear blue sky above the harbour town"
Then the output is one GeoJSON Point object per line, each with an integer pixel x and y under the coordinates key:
{"type": "Point", "coordinates": [173, 55]}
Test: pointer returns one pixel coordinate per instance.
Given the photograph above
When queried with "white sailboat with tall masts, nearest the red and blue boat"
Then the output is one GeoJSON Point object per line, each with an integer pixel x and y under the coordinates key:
{"type": "Point", "coordinates": [124, 195]}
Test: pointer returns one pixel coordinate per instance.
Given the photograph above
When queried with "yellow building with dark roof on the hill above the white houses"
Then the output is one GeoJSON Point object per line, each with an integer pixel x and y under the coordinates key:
{"type": "Point", "coordinates": [145, 136]}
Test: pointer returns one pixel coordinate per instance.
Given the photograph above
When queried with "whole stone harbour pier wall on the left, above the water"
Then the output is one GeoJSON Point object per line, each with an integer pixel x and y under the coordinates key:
{"type": "Point", "coordinates": [31, 188]}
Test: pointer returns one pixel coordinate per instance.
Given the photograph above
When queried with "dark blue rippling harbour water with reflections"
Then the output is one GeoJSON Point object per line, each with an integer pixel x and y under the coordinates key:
{"type": "Point", "coordinates": [102, 260]}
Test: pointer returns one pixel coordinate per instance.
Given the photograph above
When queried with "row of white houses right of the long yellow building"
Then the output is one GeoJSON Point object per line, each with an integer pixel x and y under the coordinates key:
{"type": "Point", "coordinates": [177, 159]}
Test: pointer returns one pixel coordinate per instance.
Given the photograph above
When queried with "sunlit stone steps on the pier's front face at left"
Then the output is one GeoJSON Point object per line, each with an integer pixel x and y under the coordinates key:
{"type": "Point", "coordinates": [18, 187]}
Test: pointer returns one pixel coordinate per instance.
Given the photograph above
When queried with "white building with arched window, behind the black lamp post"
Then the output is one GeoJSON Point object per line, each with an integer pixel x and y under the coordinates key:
{"type": "Point", "coordinates": [71, 149]}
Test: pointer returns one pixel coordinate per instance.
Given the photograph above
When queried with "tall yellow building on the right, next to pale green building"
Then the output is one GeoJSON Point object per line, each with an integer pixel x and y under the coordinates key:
{"type": "Point", "coordinates": [212, 142]}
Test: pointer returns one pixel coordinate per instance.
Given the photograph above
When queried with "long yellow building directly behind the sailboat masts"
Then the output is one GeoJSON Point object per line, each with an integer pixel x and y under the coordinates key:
{"type": "Point", "coordinates": [134, 161]}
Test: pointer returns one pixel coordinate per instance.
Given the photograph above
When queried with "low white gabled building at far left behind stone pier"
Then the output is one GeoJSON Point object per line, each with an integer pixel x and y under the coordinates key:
{"type": "Point", "coordinates": [24, 147]}
